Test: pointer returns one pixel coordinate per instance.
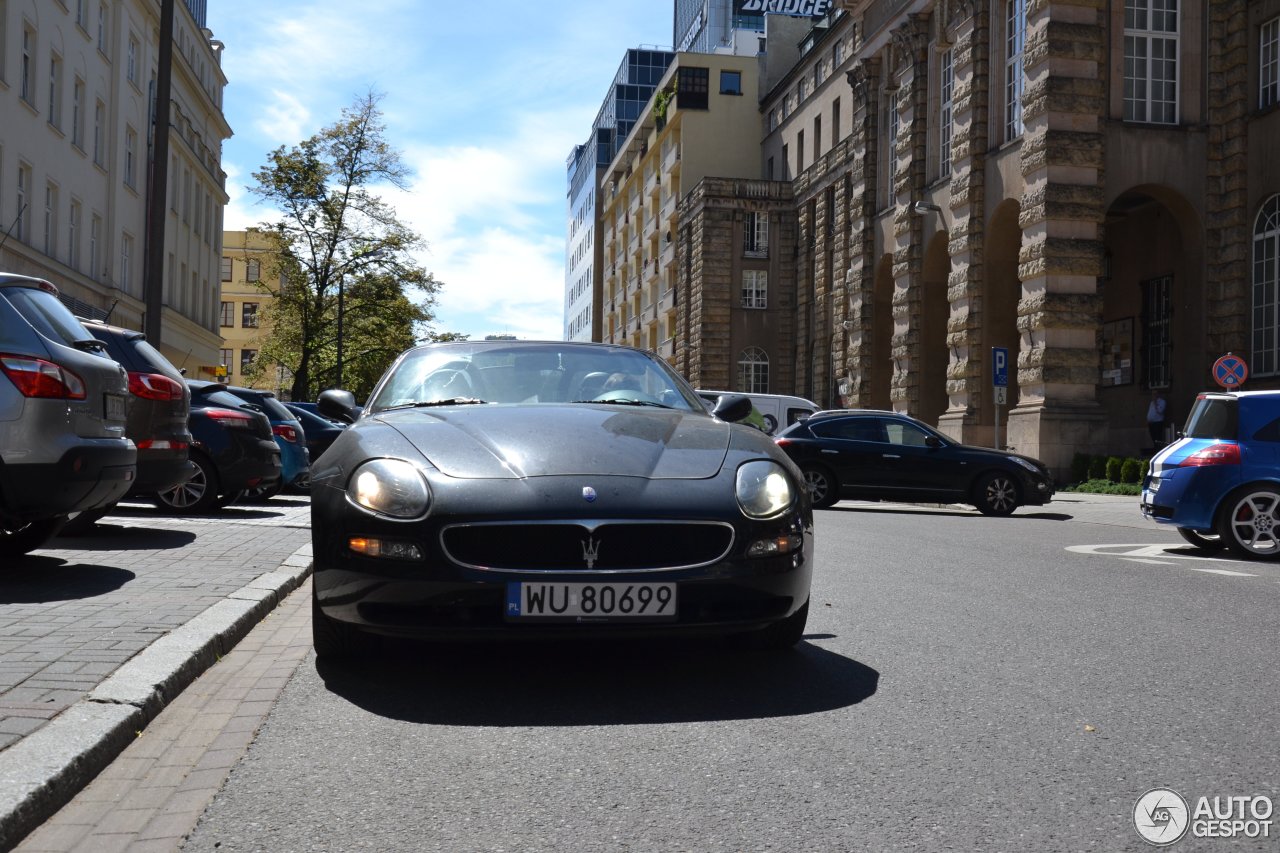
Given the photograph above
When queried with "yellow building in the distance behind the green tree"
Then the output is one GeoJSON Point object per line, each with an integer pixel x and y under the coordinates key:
{"type": "Point", "coordinates": [245, 298]}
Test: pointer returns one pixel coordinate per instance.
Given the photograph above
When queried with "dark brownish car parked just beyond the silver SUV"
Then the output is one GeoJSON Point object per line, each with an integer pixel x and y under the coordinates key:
{"type": "Point", "coordinates": [158, 416]}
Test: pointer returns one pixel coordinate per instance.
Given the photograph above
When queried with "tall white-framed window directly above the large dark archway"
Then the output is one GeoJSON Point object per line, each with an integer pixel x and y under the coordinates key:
{"type": "Point", "coordinates": [1151, 61]}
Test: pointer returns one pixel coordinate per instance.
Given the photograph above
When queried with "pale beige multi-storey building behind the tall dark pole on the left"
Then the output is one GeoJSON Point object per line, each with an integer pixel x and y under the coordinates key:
{"type": "Point", "coordinates": [75, 90]}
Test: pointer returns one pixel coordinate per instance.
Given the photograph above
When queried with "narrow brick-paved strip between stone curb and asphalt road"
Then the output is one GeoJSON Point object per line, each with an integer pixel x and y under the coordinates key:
{"type": "Point", "coordinates": [154, 795]}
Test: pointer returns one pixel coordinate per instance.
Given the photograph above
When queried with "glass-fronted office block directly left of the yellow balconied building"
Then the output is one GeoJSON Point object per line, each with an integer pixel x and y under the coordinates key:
{"type": "Point", "coordinates": [632, 89]}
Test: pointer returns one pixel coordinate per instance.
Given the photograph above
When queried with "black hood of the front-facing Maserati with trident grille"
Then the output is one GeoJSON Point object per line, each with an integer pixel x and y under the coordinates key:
{"type": "Point", "coordinates": [504, 443]}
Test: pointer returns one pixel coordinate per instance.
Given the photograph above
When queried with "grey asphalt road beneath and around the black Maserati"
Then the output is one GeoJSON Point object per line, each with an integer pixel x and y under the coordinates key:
{"type": "Point", "coordinates": [967, 683]}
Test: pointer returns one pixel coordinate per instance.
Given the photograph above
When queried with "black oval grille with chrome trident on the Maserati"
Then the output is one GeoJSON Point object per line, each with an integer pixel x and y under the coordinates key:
{"type": "Point", "coordinates": [607, 546]}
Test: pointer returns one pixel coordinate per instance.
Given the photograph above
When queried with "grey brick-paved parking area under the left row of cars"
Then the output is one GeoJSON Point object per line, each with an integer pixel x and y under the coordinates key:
{"type": "Point", "coordinates": [74, 613]}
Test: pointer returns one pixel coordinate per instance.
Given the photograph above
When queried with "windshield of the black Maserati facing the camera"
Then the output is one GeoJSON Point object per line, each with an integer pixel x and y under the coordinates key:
{"type": "Point", "coordinates": [531, 373]}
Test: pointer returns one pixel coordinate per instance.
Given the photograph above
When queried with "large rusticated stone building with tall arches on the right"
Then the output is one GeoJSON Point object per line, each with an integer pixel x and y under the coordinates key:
{"type": "Point", "coordinates": [1091, 185]}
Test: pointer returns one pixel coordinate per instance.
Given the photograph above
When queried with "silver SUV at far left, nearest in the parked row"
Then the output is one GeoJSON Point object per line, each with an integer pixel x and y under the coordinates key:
{"type": "Point", "coordinates": [63, 409]}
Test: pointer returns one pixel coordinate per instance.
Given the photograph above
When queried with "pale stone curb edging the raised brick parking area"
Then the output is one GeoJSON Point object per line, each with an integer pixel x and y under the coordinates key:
{"type": "Point", "coordinates": [45, 770]}
